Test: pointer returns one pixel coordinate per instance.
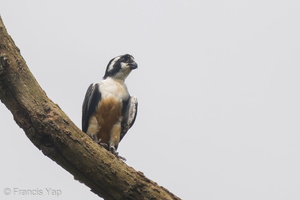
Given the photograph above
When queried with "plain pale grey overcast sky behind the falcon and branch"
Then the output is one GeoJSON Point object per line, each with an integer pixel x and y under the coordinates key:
{"type": "Point", "coordinates": [217, 83]}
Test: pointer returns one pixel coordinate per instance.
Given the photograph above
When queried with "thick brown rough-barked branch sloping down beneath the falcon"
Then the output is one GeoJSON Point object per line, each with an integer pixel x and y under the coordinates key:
{"type": "Point", "coordinates": [51, 131]}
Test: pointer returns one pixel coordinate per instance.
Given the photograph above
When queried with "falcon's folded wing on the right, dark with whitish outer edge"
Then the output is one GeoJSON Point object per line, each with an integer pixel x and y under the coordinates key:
{"type": "Point", "coordinates": [129, 115]}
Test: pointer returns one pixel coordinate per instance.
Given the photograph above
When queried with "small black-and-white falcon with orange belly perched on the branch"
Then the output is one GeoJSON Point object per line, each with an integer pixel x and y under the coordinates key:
{"type": "Point", "coordinates": [108, 111]}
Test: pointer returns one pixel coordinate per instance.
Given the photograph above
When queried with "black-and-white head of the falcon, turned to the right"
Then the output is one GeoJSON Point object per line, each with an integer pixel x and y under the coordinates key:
{"type": "Point", "coordinates": [120, 67]}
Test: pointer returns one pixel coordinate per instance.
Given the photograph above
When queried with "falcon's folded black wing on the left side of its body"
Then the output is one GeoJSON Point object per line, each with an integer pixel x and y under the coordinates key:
{"type": "Point", "coordinates": [91, 100]}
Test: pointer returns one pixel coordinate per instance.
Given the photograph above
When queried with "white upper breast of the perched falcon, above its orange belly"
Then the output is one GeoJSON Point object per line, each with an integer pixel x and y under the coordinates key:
{"type": "Point", "coordinates": [111, 88]}
